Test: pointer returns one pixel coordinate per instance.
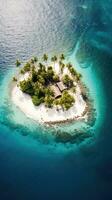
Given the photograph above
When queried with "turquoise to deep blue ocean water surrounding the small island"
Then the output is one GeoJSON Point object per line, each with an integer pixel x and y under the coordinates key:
{"type": "Point", "coordinates": [33, 166]}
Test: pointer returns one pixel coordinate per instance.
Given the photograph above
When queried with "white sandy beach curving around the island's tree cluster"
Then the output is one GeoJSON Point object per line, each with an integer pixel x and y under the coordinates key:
{"type": "Point", "coordinates": [47, 115]}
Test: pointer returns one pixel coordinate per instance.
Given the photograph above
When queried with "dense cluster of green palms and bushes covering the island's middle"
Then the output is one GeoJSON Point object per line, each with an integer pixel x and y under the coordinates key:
{"type": "Point", "coordinates": [42, 77]}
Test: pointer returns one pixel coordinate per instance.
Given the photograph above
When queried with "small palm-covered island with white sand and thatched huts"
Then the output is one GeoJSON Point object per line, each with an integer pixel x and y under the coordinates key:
{"type": "Point", "coordinates": [49, 90]}
